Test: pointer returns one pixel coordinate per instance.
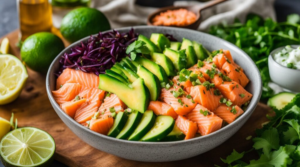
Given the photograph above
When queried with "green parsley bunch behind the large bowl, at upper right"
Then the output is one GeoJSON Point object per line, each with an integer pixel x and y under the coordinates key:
{"type": "Point", "coordinates": [258, 37]}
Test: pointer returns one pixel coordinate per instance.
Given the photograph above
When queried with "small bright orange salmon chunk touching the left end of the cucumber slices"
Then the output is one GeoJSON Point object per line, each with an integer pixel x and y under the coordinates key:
{"type": "Point", "coordinates": [102, 125]}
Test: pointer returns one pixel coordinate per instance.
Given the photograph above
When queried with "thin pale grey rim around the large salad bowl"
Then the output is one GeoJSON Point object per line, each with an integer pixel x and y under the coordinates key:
{"type": "Point", "coordinates": [251, 107]}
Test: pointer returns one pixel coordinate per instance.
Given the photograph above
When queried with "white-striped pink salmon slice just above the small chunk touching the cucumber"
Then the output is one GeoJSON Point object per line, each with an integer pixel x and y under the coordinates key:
{"type": "Point", "coordinates": [86, 111]}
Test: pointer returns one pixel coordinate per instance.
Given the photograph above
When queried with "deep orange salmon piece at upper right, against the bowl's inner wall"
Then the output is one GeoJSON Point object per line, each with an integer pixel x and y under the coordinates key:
{"type": "Point", "coordinates": [235, 73]}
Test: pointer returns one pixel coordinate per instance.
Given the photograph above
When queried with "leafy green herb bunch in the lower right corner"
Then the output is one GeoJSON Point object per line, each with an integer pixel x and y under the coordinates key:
{"type": "Point", "coordinates": [277, 143]}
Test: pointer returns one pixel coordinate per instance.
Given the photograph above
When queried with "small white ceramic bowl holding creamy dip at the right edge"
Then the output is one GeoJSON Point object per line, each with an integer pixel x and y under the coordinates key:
{"type": "Point", "coordinates": [285, 77]}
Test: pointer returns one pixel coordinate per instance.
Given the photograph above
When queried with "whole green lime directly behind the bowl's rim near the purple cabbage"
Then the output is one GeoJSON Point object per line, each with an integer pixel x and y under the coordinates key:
{"type": "Point", "coordinates": [82, 22]}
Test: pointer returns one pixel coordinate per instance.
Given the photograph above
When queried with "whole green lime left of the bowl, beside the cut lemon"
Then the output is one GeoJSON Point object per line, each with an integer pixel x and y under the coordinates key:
{"type": "Point", "coordinates": [39, 50]}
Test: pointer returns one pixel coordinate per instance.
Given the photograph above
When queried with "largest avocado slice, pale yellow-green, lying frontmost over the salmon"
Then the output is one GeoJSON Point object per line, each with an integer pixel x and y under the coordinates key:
{"type": "Point", "coordinates": [136, 95]}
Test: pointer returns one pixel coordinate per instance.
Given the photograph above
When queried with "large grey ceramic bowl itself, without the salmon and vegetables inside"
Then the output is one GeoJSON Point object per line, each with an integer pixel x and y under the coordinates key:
{"type": "Point", "coordinates": [163, 151]}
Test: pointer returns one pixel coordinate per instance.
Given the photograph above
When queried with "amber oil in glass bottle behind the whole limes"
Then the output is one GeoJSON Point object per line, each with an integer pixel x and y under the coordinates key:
{"type": "Point", "coordinates": [35, 16]}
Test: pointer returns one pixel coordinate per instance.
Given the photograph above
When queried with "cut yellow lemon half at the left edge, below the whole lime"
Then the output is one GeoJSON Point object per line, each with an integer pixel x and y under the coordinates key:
{"type": "Point", "coordinates": [13, 76]}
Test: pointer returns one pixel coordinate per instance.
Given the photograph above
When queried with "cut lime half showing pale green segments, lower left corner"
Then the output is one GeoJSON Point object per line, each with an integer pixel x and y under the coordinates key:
{"type": "Point", "coordinates": [27, 147]}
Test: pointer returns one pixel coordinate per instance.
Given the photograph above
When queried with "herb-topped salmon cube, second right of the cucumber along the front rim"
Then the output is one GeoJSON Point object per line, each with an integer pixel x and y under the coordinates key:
{"type": "Point", "coordinates": [207, 121]}
